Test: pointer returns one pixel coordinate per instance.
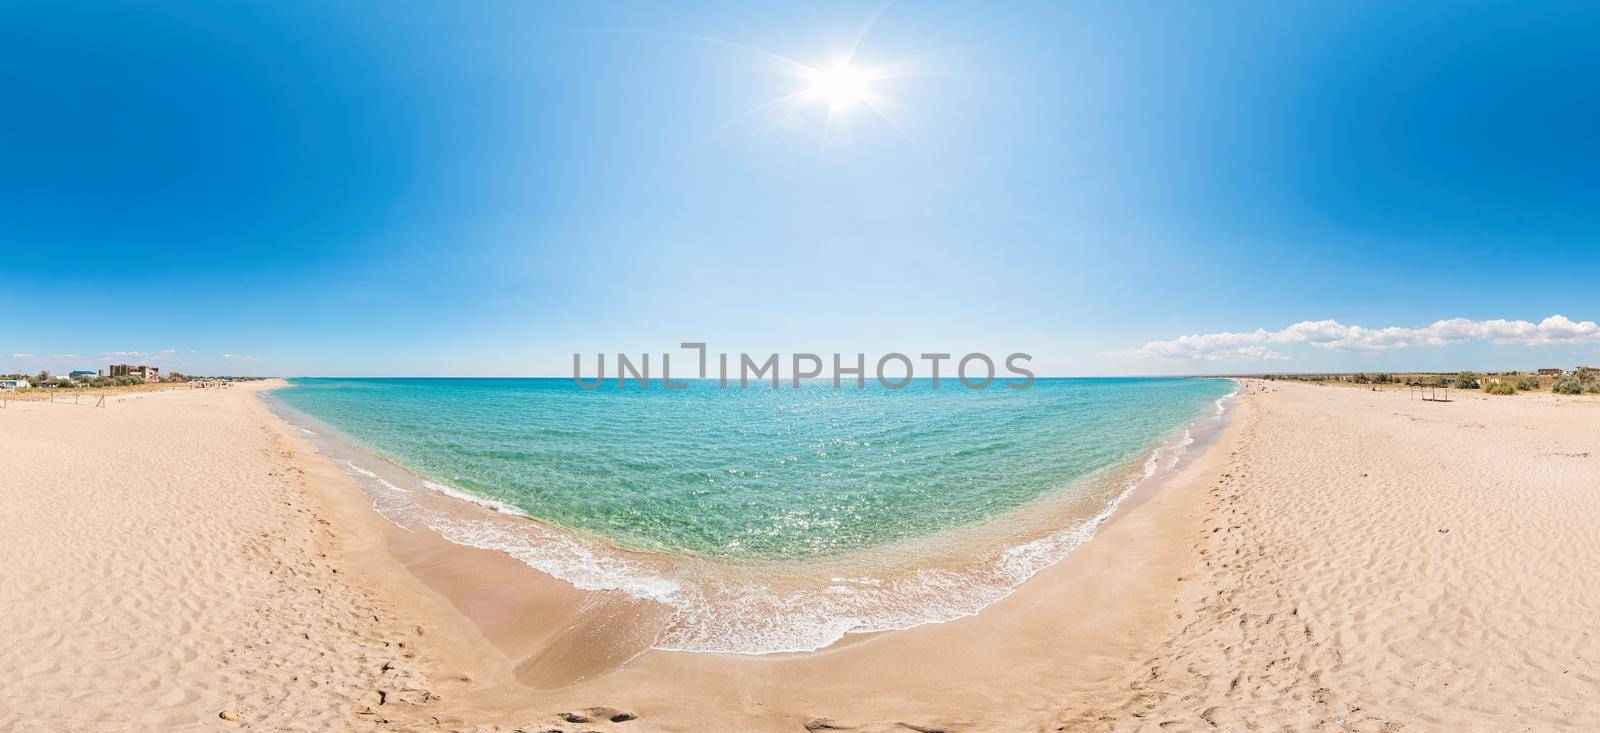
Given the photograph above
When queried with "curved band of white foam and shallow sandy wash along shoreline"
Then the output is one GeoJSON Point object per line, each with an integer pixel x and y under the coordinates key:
{"type": "Point", "coordinates": [740, 607]}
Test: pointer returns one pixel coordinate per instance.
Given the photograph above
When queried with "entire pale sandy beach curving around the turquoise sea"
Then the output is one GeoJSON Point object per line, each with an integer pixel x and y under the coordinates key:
{"type": "Point", "coordinates": [1338, 559]}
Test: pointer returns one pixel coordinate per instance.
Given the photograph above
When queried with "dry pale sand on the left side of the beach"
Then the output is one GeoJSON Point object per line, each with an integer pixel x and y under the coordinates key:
{"type": "Point", "coordinates": [164, 561]}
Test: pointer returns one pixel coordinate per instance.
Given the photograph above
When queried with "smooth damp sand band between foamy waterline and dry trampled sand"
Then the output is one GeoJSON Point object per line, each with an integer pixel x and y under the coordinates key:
{"type": "Point", "coordinates": [553, 649]}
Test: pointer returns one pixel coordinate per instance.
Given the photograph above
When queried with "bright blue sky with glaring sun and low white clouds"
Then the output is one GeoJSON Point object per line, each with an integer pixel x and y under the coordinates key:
{"type": "Point", "coordinates": [484, 190]}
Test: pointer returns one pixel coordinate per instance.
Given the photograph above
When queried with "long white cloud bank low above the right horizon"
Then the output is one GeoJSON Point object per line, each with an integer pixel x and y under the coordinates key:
{"type": "Point", "coordinates": [1359, 340]}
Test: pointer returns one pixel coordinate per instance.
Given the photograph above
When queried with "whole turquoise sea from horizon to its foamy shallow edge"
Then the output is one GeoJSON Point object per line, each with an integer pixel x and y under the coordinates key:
{"type": "Point", "coordinates": [772, 521]}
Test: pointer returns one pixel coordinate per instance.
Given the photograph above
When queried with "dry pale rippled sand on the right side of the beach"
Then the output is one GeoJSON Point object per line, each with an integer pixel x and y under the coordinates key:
{"type": "Point", "coordinates": [1378, 563]}
